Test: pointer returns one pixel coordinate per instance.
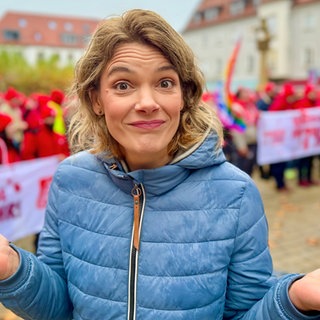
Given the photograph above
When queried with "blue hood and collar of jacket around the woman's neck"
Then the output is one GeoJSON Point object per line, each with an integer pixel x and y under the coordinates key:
{"type": "Point", "coordinates": [160, 180]}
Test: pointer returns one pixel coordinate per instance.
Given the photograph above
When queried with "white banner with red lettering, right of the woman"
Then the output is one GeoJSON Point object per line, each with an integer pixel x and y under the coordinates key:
{"type": "Point", "coordinates": [288, 135]}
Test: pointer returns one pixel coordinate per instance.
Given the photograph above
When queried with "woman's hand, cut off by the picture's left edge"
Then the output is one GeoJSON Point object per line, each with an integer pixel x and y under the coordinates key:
{"type": "Point", "coordinates": [9, 259]}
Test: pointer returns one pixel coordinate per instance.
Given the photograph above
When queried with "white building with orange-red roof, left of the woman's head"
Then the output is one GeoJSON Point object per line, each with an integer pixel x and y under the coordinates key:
{"type": "Point", "coordinates": [39, 37]}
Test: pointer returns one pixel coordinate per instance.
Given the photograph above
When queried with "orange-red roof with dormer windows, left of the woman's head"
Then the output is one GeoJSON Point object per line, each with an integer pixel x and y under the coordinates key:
{"type": "Point", "coordinates": [29, 29]}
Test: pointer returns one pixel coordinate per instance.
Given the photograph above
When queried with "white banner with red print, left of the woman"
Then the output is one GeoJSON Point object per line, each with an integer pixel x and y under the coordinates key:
{"type": "Point", "coordinates": [23, 196]}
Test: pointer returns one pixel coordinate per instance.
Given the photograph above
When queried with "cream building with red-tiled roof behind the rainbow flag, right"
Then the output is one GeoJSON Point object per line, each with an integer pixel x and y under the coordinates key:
{"type": "Point", "coordinates": [294, 48]}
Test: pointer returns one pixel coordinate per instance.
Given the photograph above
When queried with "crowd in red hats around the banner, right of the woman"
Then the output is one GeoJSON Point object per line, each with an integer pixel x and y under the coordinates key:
{"type": "Point", "coordinates": [241, 146]}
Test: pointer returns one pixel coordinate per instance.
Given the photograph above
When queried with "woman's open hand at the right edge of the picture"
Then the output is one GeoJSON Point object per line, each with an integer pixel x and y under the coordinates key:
{"type": "Point", "coordinates": [305, 292]}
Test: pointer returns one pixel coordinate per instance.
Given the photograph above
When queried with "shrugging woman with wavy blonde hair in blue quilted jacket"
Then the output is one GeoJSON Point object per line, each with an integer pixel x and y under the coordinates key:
{"type": "Point", "coordinates": [149, 221]}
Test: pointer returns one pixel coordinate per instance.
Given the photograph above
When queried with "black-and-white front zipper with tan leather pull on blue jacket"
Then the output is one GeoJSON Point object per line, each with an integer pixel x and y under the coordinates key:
{"type": "Point", "coordinates": [138, 208]}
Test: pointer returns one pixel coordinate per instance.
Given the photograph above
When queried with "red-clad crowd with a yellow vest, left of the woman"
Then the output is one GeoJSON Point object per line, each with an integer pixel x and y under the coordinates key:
{"type": "Point", "coordinates": [32, 126]}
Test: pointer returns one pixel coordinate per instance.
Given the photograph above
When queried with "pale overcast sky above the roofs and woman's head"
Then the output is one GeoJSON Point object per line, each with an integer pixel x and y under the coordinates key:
{"type": "Point", "coordinates": [176, 12]}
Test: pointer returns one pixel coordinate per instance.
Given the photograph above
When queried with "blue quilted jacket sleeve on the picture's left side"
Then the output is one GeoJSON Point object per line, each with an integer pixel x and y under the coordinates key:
{"type": "Point", "coordinates": [38, 290]}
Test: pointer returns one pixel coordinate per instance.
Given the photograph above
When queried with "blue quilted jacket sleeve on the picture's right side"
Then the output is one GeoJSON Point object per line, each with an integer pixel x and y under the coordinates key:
{"type": "Point", "coordinates": [253, 292]}
